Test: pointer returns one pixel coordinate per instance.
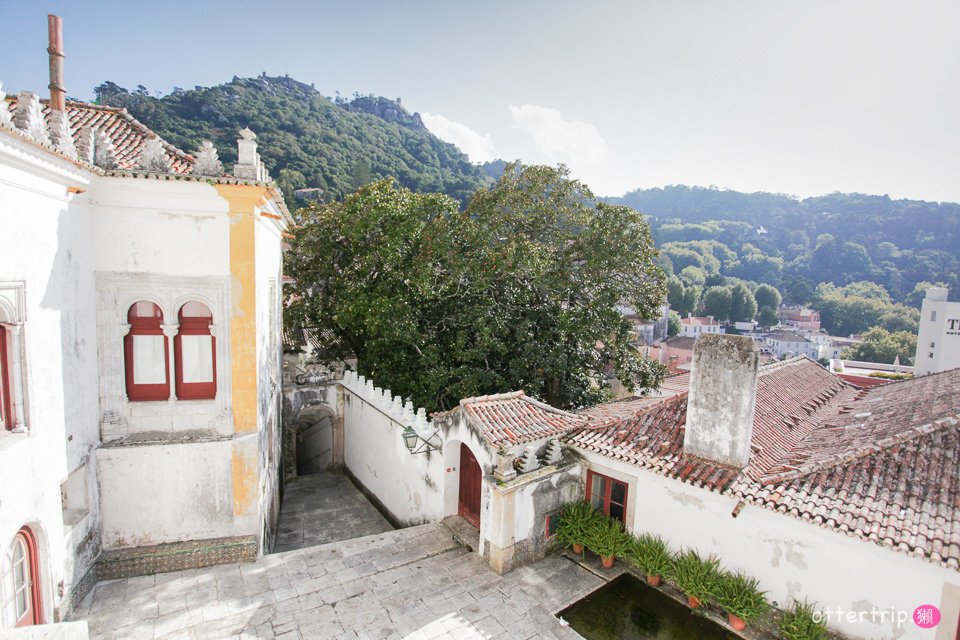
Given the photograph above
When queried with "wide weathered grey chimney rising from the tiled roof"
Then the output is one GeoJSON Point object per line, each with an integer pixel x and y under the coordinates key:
{"type": "Point", "coordinates": [723, 394]}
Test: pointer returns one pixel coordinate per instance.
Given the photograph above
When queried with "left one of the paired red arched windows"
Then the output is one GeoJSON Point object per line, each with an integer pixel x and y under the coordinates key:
{"type": "Point", "coordinates": [146, 354]}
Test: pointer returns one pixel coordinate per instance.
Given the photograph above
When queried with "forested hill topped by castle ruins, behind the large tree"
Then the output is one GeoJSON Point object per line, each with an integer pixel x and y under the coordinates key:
{"type": "Point", "coordinates": [306, 139]}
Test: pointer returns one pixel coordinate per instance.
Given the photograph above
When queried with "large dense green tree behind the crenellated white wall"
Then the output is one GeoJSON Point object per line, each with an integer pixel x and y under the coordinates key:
{"type": "Point", "coordinates": [518, 291]}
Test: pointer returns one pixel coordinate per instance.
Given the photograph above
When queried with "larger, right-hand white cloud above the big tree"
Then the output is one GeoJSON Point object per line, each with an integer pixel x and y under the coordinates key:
{"type": "Point", "coordinates": [570, 141]}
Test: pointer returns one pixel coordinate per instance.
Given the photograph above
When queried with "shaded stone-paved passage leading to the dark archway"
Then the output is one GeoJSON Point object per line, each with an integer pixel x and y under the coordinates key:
{"type": "Point", "coordinates": [322, 508]}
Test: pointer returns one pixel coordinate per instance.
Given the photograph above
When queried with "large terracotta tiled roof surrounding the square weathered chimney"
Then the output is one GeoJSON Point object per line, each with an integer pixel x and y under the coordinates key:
{"type": "Point", "coordinates": [881, 464]}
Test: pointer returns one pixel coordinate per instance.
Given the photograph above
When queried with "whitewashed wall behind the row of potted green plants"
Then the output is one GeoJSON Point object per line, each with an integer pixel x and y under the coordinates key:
{"type": "Point", "coordinates": [791, 558]}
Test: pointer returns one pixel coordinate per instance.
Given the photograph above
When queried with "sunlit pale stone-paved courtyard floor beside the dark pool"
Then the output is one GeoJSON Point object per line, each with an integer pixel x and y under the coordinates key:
{"type": "Point", "coordinates": [411, 584]}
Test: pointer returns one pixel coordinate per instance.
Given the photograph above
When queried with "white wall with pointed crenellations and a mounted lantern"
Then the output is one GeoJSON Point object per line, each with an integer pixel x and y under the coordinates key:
{"type": "Point", "coordinates": [408, 485]}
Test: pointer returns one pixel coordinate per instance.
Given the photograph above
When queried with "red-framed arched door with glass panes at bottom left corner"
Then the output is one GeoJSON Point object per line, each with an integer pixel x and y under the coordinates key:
{"type": "Point", "coordinates": [21, 581]}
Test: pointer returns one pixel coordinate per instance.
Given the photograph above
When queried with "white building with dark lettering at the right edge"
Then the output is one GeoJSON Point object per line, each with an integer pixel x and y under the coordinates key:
{"type": "Point", "coordinates": [938, 343]}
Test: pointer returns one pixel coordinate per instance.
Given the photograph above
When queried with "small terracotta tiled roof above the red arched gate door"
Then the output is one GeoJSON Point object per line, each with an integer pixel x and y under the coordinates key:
{"type": "Point", "coordinates": [514, 418]}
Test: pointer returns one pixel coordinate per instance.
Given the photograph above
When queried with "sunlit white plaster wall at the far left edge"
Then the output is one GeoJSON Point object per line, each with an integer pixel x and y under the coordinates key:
{"type": "Point", "coordinates": [45, 247]}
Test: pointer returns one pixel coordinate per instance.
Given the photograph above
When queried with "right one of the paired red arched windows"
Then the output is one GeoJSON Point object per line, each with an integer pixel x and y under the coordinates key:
{"type": "Point", "coordinates": [194, 351]}
